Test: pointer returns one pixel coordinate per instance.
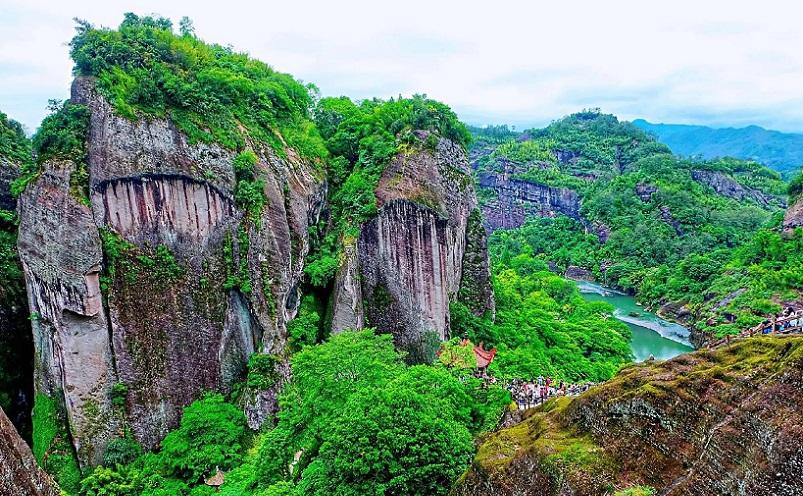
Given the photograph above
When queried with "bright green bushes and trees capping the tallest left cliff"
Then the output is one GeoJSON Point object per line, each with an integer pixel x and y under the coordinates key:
{"type": "Point", "coordinates": [211, 92]}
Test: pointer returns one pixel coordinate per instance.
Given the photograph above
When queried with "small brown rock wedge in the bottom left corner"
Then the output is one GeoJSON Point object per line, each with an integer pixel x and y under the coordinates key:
{"type": "Point", "coordinates": [19, 473]}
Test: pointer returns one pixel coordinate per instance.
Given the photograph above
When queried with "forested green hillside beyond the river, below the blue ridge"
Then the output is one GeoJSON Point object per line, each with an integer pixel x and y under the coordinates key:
{"type": "Point", "coordinates": [648, 224]}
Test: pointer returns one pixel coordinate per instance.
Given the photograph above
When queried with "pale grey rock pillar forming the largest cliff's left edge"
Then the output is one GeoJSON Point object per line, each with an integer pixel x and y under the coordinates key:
{"type": "Point", "coordinates": [61, 254]}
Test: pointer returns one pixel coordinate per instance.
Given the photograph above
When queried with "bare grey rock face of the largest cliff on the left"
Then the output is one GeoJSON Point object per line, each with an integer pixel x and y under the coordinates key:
{"type": "Point", "coordinates": [192, 288]}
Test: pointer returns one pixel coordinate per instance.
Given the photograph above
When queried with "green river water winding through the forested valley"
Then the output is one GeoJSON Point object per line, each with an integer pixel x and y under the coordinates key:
{"type": "Point", "coordinates": [652, 335]}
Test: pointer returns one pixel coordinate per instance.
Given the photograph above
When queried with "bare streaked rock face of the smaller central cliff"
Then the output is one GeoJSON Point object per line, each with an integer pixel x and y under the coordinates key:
{"type": "Point", "coordinates": [422, 251]}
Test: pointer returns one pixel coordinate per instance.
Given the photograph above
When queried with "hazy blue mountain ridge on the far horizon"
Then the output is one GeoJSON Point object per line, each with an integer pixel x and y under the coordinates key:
{"type": "Point", "coordinates": [781, 151]}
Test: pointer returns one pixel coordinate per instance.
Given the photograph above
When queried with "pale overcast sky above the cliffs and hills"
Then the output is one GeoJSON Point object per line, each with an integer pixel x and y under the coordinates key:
{"type": "Point", "coordinates": [720, 63]}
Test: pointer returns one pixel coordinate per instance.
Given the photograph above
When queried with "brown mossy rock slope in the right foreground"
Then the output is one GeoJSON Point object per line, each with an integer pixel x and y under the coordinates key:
{"type": "Point", "coordinates": [721, 422]}
